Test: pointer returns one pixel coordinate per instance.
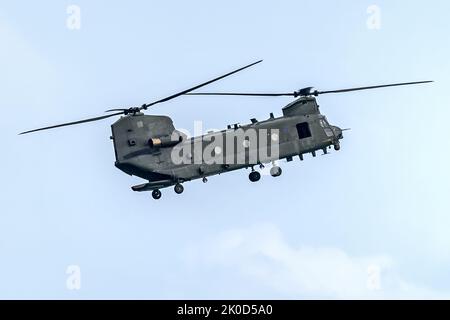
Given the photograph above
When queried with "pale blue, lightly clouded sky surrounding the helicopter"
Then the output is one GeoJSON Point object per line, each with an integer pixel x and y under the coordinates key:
{"type": "Point", "coordinates": [369, 221]}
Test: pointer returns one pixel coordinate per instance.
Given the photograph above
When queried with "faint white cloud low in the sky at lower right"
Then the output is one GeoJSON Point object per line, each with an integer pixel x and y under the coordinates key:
{"type": "Point", "coordinates": [261, 253]}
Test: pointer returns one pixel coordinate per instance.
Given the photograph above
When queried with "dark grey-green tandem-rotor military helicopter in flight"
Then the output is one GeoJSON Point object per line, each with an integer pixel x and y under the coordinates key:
{"type": "Point", "coordinates": [149, 146]}
